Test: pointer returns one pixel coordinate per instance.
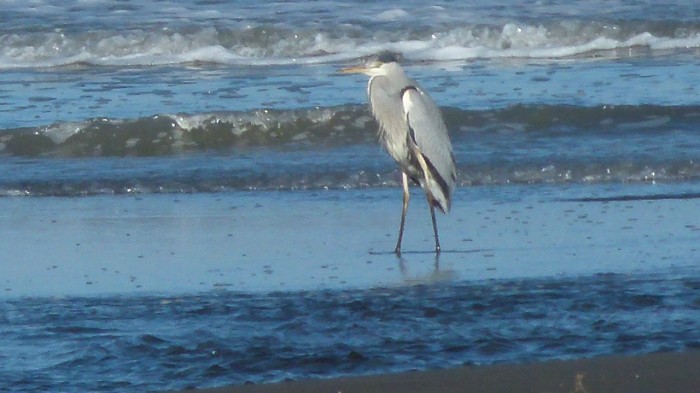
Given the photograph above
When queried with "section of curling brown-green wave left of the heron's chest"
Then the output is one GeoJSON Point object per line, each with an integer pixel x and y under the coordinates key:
{"type": "Point", "coordinates": [160, 135]}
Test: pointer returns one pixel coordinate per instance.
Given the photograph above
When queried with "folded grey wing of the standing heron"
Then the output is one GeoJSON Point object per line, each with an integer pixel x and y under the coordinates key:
{"type": "Point", "coordinates": [428, 131]}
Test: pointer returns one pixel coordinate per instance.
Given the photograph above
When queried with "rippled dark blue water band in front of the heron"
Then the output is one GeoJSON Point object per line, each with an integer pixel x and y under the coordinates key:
{"type": "Point", "coordinates": [139, 343]}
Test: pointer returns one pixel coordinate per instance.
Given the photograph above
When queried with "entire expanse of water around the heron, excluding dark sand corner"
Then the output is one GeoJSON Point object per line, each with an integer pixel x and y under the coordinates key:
{"type": "Point", "coordinates": [575, 129]}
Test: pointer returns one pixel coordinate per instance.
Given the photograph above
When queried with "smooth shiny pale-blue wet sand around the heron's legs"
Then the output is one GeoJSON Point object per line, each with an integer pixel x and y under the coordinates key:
{"type": "Point", "coordinates": [267, 241]}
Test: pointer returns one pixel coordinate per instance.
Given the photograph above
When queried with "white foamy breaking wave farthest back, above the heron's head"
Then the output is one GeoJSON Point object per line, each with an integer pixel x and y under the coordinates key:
{"type": "Point", "coordinates": [275, 45]}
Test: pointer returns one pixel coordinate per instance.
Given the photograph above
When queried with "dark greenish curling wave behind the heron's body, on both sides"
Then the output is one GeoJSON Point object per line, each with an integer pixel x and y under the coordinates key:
{"type": "Point", "coordinates": [168, 134]}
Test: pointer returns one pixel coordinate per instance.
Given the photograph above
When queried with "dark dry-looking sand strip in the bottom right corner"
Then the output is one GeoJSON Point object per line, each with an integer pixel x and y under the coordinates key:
{"type": "Point", "coordinates": [655, 373]}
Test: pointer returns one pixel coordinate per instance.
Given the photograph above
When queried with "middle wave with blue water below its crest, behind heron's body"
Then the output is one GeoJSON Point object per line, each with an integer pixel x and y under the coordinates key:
{"type": "Point", "coordinates": [336, 148]}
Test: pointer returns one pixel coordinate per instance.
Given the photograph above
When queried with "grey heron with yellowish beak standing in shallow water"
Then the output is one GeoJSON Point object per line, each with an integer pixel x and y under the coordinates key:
{"type": "Point", "coordinates": [413, 132]}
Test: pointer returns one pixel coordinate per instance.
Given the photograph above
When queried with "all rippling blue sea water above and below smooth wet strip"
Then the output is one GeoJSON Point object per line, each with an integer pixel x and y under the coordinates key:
{"type": "Point", "coordinates": [102, 98]}
